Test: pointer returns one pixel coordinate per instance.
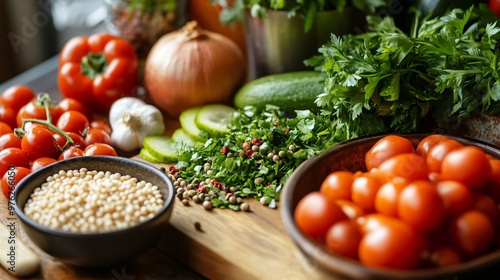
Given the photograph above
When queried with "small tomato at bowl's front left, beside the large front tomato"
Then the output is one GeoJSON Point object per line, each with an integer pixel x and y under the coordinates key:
{"type": "Point", "coordinates": [343, 238]}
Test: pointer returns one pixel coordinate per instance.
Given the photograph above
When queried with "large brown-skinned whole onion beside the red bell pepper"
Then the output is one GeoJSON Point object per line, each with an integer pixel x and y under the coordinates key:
{"type": "Point", "coordinates": [193, 67]}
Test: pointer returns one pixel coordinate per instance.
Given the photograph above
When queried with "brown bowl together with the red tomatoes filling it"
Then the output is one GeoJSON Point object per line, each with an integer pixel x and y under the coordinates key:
{"type": "Point", "coordinates": [398, 206]}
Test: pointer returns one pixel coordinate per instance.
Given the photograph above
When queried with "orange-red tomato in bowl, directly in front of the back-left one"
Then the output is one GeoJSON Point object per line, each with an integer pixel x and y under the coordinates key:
{"type": "Point", "coordinates": [408, 166]}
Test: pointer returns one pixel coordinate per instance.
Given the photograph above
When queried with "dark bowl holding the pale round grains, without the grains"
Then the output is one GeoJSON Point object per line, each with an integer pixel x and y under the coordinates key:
{"type": "Point", "coordinates": [97, 249]}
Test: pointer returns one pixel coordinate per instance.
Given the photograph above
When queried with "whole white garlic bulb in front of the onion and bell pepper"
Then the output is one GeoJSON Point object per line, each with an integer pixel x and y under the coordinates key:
{"type": "Point", "coordinates": [132, 120]}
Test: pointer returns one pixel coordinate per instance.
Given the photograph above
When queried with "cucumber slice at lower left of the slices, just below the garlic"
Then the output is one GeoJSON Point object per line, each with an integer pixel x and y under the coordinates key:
{"type": "Point", "coordinates": [162, 148]}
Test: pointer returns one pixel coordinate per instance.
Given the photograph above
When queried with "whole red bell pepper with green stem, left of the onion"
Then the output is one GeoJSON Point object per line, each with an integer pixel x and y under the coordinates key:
{"type": "Point", "coordinates": [97, 70]}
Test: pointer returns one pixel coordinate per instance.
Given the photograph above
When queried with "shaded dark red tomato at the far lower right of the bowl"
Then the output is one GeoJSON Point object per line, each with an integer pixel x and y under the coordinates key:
{"type": "Point", "coordinates": [473, 232]}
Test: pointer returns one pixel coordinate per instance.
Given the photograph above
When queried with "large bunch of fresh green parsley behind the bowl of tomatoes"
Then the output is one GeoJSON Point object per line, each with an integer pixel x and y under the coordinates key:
{"type": "Point", "coordinates": [388, 80]}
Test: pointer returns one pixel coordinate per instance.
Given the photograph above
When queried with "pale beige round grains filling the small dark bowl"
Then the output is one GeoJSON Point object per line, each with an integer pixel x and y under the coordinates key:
{"type": "Point", "coordinates": [93, 201]}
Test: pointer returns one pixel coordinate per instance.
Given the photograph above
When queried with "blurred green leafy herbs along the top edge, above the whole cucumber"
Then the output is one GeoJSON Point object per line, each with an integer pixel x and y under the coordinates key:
{"type": "Point", "coordinates": [306, 8]}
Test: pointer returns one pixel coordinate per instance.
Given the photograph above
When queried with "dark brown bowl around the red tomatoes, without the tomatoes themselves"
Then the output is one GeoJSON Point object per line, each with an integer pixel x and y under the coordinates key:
{"type": "Point", "coordinates": [350, 155]}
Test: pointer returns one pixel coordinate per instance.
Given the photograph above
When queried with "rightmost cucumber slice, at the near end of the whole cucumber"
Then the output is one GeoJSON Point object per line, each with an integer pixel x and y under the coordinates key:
{"type": "Point", "coordinates": [214, 119]}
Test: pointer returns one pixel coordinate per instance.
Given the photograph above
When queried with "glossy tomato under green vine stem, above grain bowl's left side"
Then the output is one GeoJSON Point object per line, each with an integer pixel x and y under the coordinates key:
{"type": "Point", "coordinates": [38, 143]}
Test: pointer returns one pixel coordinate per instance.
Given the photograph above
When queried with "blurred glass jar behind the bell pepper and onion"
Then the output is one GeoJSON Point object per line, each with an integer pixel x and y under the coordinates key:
{"type": "Point", "coordinates": [143, 22]}
